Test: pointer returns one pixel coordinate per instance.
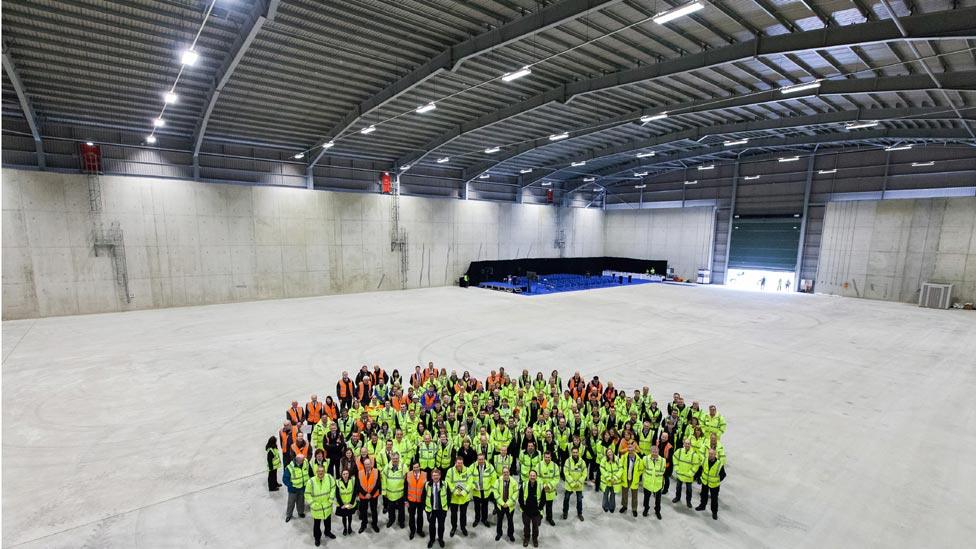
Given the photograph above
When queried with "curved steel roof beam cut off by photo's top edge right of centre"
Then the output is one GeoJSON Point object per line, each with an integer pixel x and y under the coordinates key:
{"type": "Point", "coordinates": [451, 58]}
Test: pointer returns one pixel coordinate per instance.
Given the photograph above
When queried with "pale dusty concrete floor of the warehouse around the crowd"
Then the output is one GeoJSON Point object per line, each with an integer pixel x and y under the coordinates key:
{"type": "Point", "coordinates": [850, 421]}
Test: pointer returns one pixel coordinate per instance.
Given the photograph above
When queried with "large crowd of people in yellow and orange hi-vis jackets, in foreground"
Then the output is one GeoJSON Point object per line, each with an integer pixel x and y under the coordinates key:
{"type": "Point", "coordinates": [435, 444]}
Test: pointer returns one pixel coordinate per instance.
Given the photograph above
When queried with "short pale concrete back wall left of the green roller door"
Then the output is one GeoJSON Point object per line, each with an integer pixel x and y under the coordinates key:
{"type": "Point", "coordinates": [682, 236]}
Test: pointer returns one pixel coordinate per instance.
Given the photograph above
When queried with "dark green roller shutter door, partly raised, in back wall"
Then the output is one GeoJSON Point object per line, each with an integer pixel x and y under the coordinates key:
{"type": "Point", "coordinates": [764, 243]}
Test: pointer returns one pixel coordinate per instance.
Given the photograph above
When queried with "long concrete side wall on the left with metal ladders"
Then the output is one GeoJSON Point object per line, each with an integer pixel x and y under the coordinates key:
{"type": "Point", "coordinates": [190, 243]}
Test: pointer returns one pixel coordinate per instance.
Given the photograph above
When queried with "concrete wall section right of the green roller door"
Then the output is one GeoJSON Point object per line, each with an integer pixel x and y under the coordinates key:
{"type": "Point", "coordinates": [886, 249]}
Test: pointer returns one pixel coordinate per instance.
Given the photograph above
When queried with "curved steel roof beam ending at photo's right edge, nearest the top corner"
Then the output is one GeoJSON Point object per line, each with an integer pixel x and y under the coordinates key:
{"type": "Point", "coordinates": [944, 25]}
